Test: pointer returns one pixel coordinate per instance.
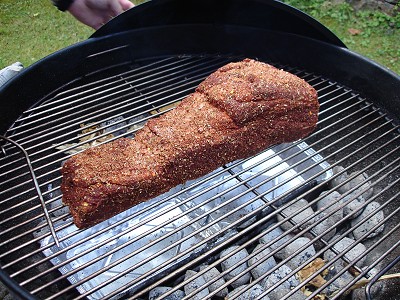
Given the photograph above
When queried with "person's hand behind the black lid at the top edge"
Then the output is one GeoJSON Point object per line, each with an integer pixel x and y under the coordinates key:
{"type": "Point", "coordinates": [96, 13]}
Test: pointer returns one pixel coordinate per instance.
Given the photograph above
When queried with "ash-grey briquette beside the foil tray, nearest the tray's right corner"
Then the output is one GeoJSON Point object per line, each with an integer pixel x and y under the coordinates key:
{"type": "Point", "coordinates": [297, 213]}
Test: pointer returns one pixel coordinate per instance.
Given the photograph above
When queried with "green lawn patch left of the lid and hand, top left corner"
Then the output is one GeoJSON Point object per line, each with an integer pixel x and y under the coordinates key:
{"type": "Point", "coordinates": [32, 29]}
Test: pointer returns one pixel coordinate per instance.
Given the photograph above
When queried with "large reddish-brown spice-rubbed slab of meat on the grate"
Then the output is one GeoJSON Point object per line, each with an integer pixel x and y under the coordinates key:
{"type": "Point", "coordinates": [238, 111]}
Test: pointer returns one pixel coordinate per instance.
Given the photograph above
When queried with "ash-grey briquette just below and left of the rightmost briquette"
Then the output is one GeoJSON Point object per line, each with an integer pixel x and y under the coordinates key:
{"type": "Point", "coordinates": [355, 250]}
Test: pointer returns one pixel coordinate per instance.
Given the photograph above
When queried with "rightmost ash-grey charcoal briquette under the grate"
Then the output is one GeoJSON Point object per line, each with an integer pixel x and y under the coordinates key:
{"type": "Point", "coordinates": [368, 222]}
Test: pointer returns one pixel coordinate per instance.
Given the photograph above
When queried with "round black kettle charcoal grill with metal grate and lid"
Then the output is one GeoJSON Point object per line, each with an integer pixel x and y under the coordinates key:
{"type": "Point", "coordinates": [137, 67]}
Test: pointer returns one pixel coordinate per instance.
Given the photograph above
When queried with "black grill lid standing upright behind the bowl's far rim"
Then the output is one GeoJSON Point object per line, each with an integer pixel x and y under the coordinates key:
{"type": "Point", "coordinates": [276, 16]}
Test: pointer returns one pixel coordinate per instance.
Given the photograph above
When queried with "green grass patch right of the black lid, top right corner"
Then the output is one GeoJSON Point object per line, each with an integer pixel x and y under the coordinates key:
{"type": "Point", "coordinates": [373, 34]}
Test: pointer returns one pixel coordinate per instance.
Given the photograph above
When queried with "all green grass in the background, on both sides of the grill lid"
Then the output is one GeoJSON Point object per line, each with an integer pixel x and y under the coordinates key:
{"type": "Point", "coordinates": [32, 29]}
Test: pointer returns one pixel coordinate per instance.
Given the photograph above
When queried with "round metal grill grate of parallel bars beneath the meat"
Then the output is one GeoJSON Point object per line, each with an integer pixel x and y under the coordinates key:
{"type": "Point", "coordinates": [156, 243]}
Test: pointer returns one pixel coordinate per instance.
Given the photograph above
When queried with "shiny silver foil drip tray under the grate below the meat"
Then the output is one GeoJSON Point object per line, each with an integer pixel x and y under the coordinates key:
{"type": "Point", "coordinates": [156, 236]}
